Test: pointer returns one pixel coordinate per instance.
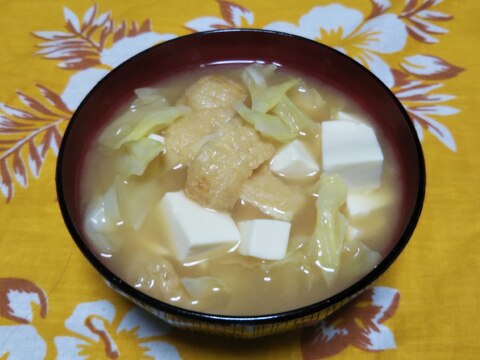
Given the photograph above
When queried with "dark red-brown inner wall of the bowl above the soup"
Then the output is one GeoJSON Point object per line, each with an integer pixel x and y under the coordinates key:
{"type": "Point", "coordinates": [190, 52]}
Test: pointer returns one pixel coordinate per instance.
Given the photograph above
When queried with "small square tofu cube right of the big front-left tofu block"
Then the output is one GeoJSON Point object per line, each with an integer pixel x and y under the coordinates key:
{"type": "Point", "coordinates": [265, 239]}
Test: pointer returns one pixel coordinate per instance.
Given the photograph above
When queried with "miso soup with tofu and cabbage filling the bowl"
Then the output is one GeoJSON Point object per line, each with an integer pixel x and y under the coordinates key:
{"type": "Point", "coordinates": [230, 139]}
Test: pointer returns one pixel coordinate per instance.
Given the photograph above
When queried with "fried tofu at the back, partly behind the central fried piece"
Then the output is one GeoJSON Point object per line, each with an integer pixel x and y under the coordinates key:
{"type": "Point", "coordinates": [211, 99]}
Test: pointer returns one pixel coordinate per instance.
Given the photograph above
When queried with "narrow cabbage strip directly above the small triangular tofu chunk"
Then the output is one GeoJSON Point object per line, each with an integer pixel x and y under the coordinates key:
{"type": "Point", "coordinates": [268, 125]}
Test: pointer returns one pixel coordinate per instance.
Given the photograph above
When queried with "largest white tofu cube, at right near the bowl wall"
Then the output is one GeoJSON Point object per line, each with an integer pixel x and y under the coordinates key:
{"type": "Point", "coordinates": [352, 151]}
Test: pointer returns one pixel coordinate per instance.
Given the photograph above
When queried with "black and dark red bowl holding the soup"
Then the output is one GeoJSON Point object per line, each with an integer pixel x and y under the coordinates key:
{"type": "Point", "coordinates": [242, 46]}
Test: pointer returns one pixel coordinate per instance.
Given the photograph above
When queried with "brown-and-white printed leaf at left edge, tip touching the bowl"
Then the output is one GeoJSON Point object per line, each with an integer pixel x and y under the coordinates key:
{"type": "Point", "coordinates": [27, 135]}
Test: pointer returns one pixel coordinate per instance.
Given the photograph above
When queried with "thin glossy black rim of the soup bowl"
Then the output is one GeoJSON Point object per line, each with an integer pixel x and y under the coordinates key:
{"type": "Point", "coordinates": [278, 317]}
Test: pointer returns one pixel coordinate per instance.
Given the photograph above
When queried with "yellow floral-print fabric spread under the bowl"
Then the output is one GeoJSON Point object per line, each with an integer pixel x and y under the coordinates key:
{"type": "Point", "coordinates": [434, 282]}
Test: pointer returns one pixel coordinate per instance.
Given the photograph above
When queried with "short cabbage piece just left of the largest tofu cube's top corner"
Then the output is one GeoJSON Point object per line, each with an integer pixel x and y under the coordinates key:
{"type": "Point", "coordinates": [295, 119]}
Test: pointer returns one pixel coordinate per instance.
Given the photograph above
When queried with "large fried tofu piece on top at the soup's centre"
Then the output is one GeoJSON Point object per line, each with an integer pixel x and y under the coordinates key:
{"type": "Point", "coordinates": [216, 176]}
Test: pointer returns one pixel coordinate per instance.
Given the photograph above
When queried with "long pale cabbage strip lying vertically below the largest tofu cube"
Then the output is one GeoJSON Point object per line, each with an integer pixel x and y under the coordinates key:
{"type": "Point", "coordinates": [325, 247]}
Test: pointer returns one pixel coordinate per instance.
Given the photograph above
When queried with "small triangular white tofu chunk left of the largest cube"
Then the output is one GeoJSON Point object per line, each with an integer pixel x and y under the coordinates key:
{"type": "Point", "coordinates": [294, 160]}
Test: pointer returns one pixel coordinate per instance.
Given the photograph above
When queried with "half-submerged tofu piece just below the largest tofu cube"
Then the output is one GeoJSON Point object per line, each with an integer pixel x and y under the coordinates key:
{"type": "Point", "coordinates": [361, 204]}
